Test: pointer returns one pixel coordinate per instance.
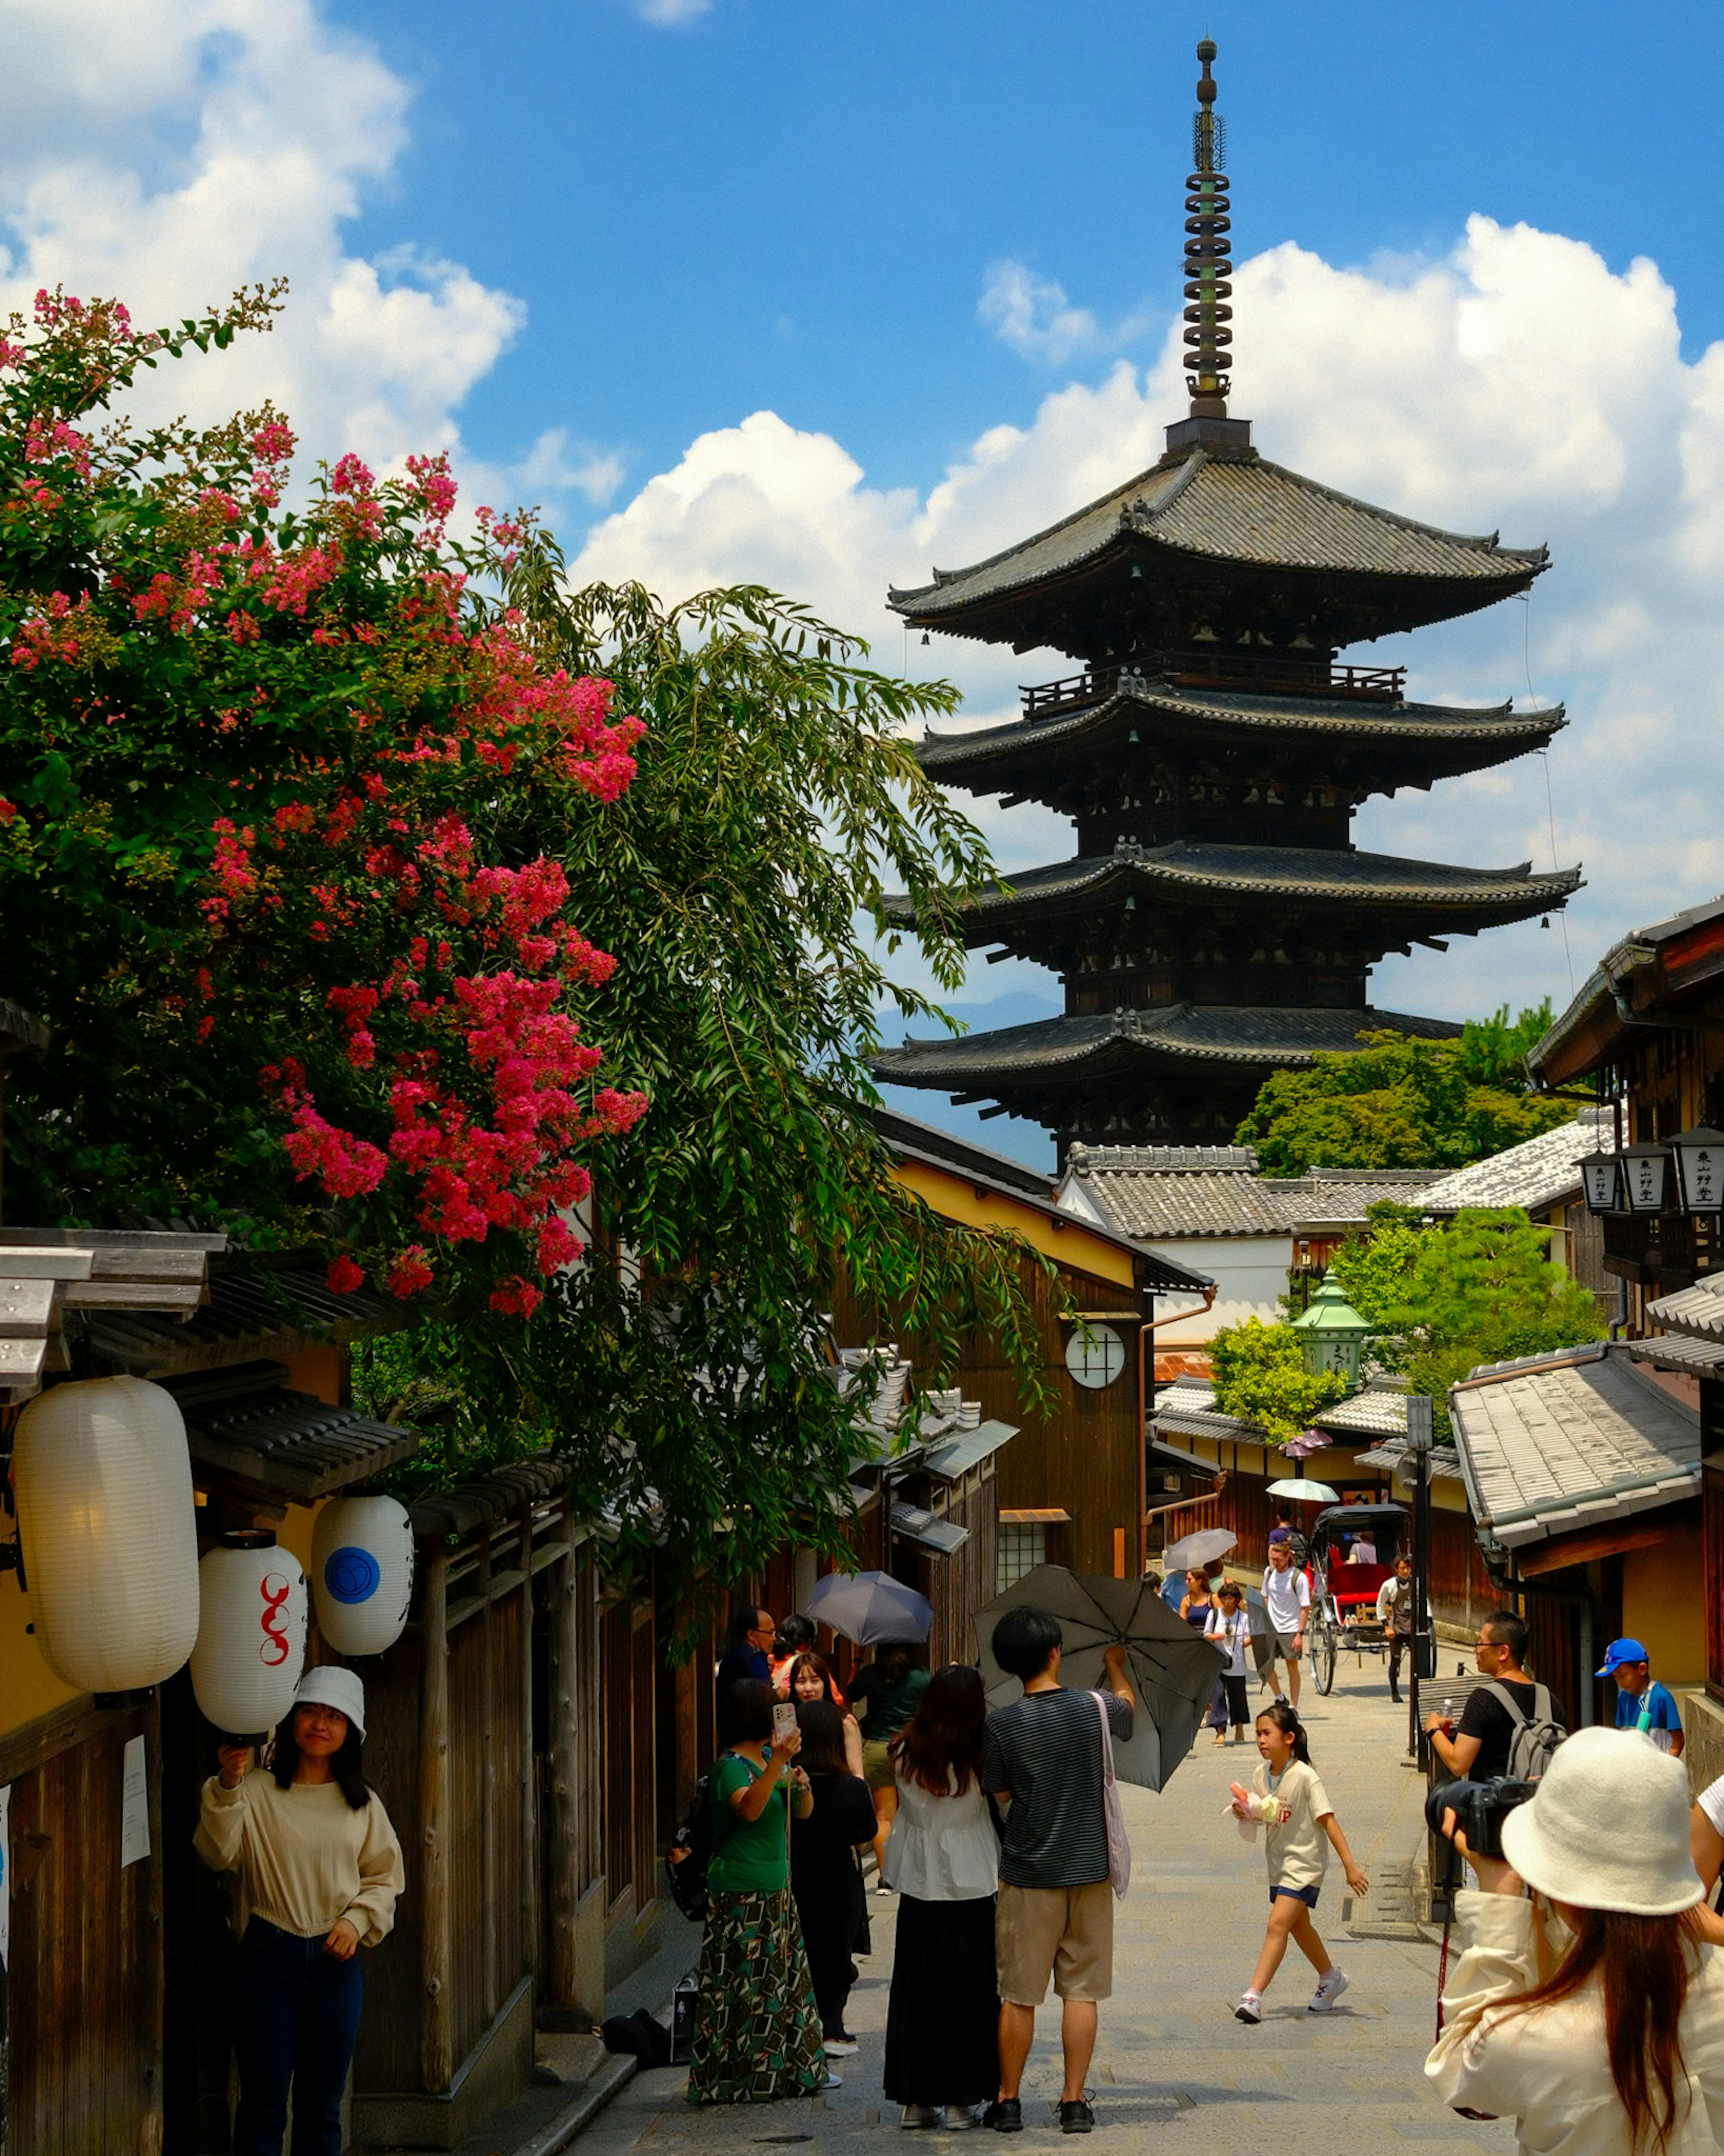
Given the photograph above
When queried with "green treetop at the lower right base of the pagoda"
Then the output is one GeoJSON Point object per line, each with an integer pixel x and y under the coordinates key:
{"type": "Point", "coordinates": [1404, 1103]}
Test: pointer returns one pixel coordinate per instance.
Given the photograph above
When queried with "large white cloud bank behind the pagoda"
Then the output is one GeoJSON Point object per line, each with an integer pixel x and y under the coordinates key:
{"type": "Point", "coordinates": [1514, 385]}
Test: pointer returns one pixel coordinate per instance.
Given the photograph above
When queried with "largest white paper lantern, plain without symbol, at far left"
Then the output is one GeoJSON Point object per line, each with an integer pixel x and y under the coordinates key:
{"type": "Point", "coordinates": [111, 1532]}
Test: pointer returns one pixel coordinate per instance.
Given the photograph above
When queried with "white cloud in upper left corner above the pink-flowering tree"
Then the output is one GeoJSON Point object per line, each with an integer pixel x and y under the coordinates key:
{"type": "Point", "coordinates": [169, 152]}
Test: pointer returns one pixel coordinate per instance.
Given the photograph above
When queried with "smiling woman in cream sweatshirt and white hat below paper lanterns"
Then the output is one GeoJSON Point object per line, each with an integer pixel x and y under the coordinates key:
{"type": "Point", "coordinates": [320, 1872]}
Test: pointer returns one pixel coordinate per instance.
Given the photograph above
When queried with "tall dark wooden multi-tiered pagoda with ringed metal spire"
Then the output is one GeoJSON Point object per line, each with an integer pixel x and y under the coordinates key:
{"type": "Point", "coordinates": [1219, 922]}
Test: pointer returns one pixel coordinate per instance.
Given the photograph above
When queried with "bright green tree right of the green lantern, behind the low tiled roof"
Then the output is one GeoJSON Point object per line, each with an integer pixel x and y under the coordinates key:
{"type": "Point", "coordinates": [1451, 1299]}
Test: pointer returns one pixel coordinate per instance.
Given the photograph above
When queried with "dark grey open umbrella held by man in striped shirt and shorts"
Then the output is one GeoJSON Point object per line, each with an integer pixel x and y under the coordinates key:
{"type": "Point", "coordinates": [1173, 1668]}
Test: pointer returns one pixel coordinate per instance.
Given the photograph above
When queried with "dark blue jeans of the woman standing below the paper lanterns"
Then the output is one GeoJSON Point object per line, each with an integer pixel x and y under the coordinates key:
{"type": "Point", "coordinates": [296, 2021]}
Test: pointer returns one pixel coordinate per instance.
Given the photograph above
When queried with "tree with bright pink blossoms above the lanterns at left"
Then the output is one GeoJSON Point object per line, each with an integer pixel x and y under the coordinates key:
{"type": "Point", "coordinates": [255, 764]}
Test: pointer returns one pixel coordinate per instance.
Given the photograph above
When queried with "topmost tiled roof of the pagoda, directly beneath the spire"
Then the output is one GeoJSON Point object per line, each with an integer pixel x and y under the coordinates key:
{"type": "Point", "coordinates": [1225, 510]}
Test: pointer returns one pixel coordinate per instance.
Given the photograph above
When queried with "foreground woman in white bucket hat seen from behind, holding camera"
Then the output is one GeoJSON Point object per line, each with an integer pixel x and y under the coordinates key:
{"type": "Point", "coordinates": [1594, 2013]}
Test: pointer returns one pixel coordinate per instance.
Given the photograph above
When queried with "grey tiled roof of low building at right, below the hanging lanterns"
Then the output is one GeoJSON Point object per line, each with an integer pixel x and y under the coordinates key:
{"type": "Point", "coordinates": [1559, 1443]}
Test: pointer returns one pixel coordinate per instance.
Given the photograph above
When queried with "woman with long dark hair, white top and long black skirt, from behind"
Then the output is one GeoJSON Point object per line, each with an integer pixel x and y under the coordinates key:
{"type": "Point", "coordinates": [943, 2026]}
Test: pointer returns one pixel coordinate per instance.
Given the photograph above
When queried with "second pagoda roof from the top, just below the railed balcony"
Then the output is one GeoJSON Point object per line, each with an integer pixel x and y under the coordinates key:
{"type": "Point", "coordinates": [1441, 738]}
